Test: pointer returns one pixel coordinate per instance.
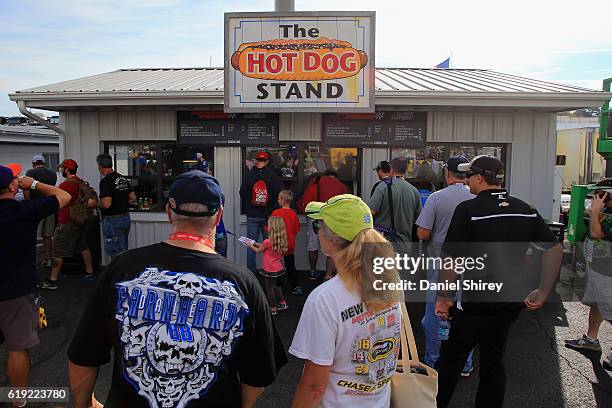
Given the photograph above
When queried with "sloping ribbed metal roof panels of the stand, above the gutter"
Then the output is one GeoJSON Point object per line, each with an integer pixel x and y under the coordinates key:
{"type": "Point", "coordinates": [387, 79]}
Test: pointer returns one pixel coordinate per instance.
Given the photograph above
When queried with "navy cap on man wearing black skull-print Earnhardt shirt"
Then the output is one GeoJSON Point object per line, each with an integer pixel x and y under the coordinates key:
{"type": "Point", "coordinates": [195, 187]}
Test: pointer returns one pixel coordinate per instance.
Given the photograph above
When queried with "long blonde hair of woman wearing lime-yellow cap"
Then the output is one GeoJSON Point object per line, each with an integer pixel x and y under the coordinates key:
{"type": "Point", "coordinates": [354, 262]}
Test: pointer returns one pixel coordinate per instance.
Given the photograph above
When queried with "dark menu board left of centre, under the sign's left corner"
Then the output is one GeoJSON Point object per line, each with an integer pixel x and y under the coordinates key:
{"type": "Point", "coordinates": [227, 129]}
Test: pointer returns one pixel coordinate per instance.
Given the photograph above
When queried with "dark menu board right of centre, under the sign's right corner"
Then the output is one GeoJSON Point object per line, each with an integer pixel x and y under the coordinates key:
{"type": "Point", "coordinates": [379, 129]}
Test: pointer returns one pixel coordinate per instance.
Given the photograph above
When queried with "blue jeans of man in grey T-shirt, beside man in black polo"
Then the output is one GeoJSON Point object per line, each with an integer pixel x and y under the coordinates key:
{"type": "Point", "coordinates": [431, 327]}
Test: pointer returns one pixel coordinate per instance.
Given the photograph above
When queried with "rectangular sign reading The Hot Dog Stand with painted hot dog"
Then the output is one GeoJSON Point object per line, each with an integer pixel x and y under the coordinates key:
{"type": "Point", "coordinates": [304, 62]}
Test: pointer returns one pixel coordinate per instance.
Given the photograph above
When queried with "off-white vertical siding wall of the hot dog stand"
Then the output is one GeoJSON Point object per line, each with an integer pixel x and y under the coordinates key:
{"type": "Point", "coordinates": [530, 135]}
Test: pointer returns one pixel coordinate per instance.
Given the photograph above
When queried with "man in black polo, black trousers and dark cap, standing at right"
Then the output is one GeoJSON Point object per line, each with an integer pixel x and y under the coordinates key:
{"type": "Point", "coordinates": [504, 227]}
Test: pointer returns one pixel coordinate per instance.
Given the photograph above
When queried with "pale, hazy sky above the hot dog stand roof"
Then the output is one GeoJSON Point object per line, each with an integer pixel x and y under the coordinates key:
{"type": "Point", "coordinates": [42, 42]}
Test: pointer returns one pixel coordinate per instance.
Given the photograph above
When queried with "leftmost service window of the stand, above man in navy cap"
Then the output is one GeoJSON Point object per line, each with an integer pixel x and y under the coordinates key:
{"type": "Point", "coordinates": [152, 167]}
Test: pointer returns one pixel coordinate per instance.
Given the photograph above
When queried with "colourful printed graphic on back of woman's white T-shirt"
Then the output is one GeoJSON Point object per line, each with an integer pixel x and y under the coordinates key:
{"type": "Point", "coordinates": [374, 356]}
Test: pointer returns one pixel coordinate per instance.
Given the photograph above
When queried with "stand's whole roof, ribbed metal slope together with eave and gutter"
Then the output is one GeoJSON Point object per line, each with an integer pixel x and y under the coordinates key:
{"type": "Point", "coordinates": [416, 87]}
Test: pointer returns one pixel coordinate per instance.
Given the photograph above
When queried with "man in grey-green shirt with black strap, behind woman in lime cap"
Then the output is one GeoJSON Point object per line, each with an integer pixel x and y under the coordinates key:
{"type": "Point", "coordinates": [406, 204]}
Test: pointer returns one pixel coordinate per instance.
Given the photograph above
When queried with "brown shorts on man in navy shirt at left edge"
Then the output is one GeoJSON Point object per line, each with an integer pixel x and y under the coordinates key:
{"type": "Point", "coordinates": [19, 323]}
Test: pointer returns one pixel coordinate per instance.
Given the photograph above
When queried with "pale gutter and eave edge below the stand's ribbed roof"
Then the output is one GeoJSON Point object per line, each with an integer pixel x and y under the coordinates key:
{"type": "Point", "coordinates": [541, 101]}
